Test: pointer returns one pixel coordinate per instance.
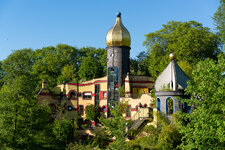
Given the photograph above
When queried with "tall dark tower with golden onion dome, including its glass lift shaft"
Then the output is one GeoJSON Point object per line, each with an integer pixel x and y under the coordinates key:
{"type": "Point", "coordinates": [118, 59]}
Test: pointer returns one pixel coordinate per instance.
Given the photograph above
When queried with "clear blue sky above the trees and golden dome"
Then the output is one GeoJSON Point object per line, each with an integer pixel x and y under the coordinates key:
{"type": "Point", "coordinates": [40, 23]}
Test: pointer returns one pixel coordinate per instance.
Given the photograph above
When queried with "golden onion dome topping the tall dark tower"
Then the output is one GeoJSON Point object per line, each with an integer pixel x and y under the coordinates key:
{"type": "Point", "coordinates": [118, 35]}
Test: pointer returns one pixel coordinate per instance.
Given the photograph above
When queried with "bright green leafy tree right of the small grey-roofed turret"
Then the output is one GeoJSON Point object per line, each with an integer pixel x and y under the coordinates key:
{"type": "Point", "coordinates": [206, 126]}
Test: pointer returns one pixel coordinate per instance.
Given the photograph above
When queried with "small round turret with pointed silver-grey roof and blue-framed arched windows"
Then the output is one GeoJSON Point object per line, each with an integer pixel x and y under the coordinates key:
{"type": "Point", "coordinates": [169, 87]}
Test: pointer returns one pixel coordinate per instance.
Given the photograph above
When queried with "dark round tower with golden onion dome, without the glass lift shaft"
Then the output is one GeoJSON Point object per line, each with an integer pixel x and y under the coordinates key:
{"type": "Point", "coordinates": [118, 49]}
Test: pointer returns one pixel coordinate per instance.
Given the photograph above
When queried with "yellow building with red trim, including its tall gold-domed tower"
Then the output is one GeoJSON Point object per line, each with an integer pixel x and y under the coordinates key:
{"type": "Point", "coordinates": [105, 91]}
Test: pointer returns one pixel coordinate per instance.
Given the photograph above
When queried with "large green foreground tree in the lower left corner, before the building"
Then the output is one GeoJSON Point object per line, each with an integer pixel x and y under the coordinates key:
{"type": "Point", "coordinates": [21, 119]}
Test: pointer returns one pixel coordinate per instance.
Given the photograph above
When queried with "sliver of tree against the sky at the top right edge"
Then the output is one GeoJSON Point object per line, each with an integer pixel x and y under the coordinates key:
{"type": "Point", "coordinates": [219, 19]}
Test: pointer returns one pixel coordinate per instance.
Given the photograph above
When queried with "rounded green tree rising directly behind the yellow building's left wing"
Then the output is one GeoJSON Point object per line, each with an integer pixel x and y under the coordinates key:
{"type": "Point", "coordinates": [51, 63]}
